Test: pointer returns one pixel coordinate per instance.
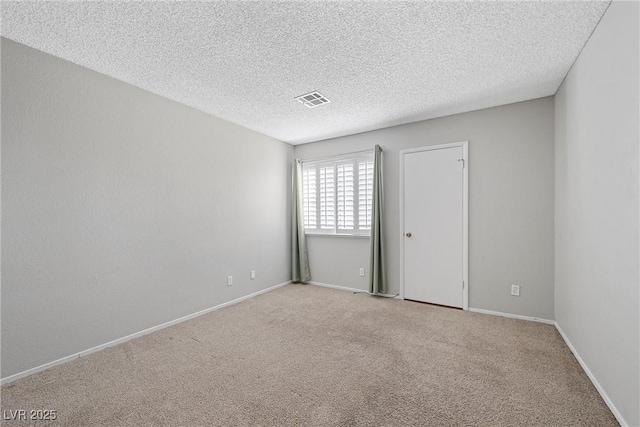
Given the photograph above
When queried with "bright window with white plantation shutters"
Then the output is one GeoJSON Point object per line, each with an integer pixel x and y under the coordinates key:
{"type": "Point", "coordinates": [337, 195]}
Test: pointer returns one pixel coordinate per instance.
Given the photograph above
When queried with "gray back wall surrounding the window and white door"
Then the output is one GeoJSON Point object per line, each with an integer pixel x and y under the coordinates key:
{"type": "Point", "coordinates": [511, 181]}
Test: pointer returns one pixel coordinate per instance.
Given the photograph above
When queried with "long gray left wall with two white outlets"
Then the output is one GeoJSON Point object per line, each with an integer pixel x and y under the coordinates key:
{"type": "Point", "coordinates": [122, 210]}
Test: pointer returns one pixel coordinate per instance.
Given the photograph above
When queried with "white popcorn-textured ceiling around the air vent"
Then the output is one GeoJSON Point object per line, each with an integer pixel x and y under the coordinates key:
{"type": "Point", "coordinates": [380, 63]}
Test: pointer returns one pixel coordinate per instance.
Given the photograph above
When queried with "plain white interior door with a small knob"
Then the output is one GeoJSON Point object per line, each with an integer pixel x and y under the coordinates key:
{"type": "Point", "coordinates": [434, 235]}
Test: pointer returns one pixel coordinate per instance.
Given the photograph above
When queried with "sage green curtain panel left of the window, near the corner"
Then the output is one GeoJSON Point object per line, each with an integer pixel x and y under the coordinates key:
{"type": "Point", "coordinates": [299, 256]}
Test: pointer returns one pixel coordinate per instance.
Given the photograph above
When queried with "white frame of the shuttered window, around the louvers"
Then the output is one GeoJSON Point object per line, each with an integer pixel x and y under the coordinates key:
{"type": "Point", "coordinates": [334, 162]}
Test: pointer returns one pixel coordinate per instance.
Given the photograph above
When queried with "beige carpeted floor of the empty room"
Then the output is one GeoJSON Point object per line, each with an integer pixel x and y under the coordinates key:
{"type": "Point", "coordinates": [311, 356]}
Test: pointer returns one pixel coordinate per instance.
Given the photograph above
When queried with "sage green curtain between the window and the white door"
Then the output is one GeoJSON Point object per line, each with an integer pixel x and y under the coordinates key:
{"type": "Point", "coordinates": [377, 268]}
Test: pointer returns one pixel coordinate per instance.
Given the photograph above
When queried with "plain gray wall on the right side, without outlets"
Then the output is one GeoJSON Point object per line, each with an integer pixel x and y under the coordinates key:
{"type": "Point", "coordinates": [596, 211]}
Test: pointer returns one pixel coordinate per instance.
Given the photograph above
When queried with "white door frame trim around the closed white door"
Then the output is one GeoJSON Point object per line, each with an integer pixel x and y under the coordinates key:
{"type": "Point", "coordinates": [465, 214]}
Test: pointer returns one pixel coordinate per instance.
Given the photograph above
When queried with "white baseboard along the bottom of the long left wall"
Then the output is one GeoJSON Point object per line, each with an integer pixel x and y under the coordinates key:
{"type": "Point", "coordinates": [83, 353]}
